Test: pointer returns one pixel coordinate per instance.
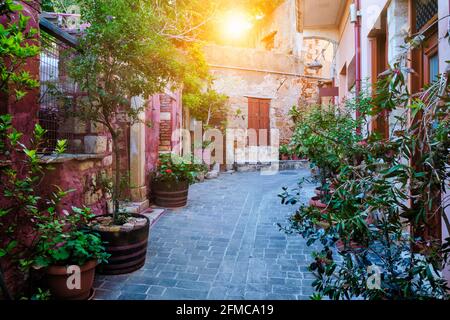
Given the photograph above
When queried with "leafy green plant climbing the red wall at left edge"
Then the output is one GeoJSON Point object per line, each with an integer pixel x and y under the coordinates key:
{"type": "Point", "coordinates": [23, 207]}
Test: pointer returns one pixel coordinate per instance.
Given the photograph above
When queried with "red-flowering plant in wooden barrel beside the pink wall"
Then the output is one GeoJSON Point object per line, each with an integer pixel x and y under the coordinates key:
{"type": "Point", "coordinates": [170, 182]}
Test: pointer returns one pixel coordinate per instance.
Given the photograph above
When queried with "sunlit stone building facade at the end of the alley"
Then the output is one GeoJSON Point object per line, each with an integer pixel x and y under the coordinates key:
{"type": "Point", "coordinates": [271, 67]}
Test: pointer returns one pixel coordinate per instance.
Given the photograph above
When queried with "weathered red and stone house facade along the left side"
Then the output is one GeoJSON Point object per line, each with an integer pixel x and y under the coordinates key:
{"type": "Point", "coordinates": [89, 158]}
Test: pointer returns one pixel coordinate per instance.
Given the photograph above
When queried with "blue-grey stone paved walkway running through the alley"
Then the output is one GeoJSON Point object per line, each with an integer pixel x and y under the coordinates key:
{"type": "Point", "coordinates": [224, 245]}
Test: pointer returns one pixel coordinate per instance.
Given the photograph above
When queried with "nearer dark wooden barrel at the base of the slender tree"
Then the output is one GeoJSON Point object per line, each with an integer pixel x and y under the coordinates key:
{"type": "Point", "coordinates": [128, 249]}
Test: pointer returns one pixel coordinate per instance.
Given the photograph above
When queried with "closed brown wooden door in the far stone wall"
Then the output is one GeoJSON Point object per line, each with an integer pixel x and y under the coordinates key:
{"type": "Point", "coordinates": [259, 120]}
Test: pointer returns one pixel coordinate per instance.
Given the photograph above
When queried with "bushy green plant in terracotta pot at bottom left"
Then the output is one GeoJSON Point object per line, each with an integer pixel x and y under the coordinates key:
{"type": "Point", "coordinates": [67, 249]}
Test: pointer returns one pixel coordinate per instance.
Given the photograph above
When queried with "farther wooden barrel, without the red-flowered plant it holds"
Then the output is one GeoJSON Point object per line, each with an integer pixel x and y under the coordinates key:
{"type": "Point", "coordinates": [170, 194]}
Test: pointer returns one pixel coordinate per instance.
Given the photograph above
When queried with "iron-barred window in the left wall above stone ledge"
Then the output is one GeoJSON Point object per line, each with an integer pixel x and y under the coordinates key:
{"type": "Point", "coordinates": [58, 95]}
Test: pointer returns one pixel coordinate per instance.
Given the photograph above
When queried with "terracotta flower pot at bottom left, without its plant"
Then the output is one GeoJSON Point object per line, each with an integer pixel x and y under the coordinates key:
{"type": "Point", "coordinates": [57, 278]}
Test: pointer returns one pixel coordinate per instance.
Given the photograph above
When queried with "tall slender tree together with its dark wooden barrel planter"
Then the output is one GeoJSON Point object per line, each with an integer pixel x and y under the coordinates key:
{"type": "Point", "coordinates": [122, 58]}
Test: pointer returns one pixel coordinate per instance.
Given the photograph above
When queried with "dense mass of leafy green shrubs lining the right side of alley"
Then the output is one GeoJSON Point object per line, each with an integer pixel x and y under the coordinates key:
{"type": "Point", "coordinates": [385, 247]}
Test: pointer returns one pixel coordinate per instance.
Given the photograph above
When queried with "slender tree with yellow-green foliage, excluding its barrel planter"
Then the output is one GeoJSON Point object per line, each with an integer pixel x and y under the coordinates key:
{"type": "Point", "coordinates": [123, 54]}
